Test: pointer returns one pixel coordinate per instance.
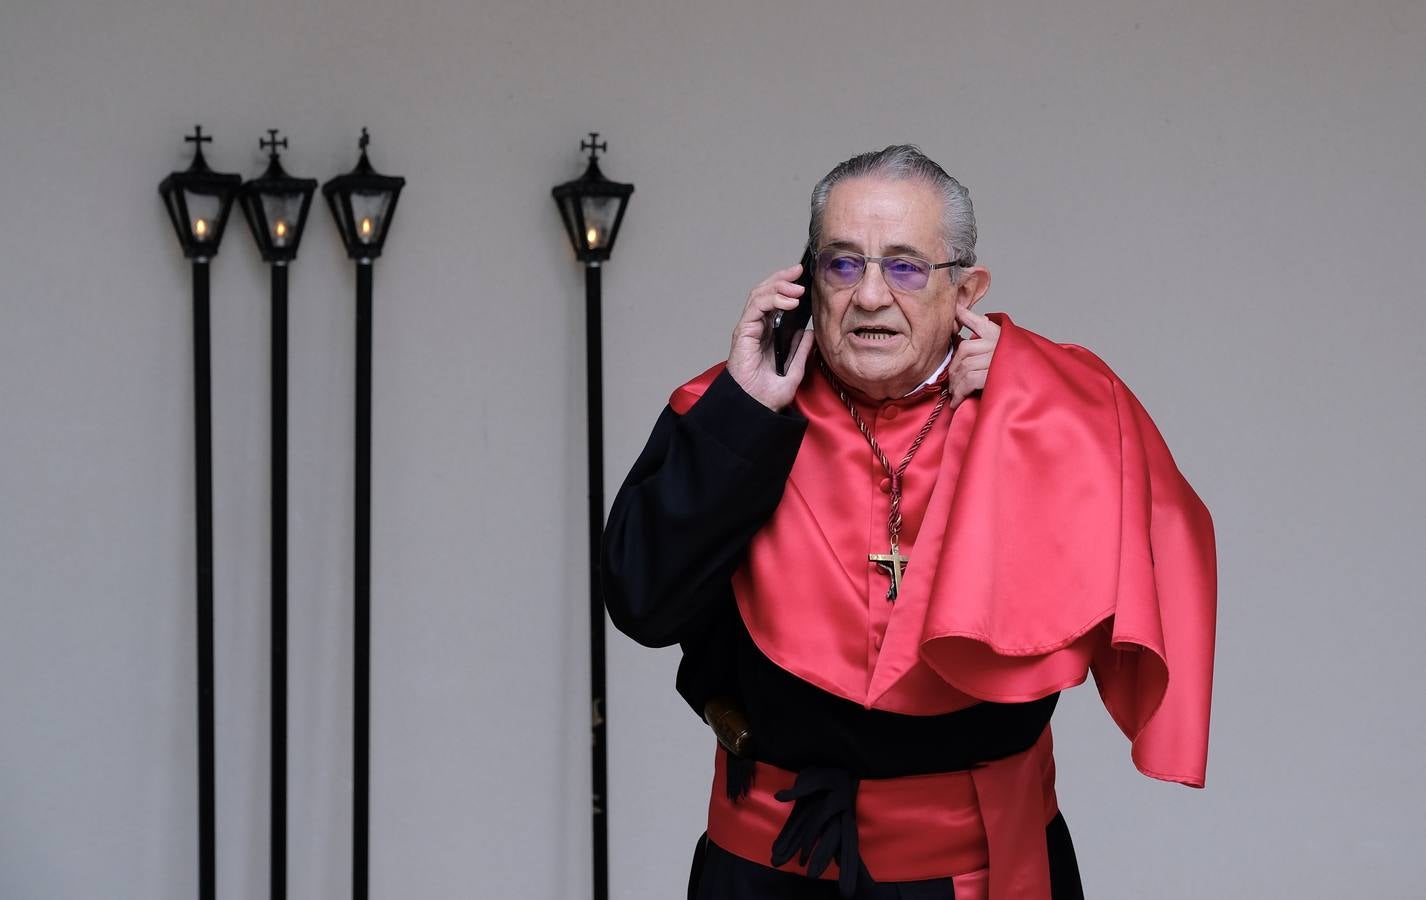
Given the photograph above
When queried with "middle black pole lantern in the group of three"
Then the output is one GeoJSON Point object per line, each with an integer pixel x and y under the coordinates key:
{"type": "Point", "coordinates": [276, 208]}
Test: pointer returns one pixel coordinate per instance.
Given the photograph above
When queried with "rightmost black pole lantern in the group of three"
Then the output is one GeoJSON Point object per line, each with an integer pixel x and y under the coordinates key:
{"type": "Point", "coordinates": [363, 203]}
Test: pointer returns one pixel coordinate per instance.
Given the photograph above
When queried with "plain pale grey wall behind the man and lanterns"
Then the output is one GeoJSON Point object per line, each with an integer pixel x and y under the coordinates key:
{"type": "Point", "coordinates": [1224, 200]}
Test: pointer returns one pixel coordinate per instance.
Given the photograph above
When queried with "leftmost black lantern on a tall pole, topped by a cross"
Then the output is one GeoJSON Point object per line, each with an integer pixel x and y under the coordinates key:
{"type": "Point", "coordinates": [199, 202]}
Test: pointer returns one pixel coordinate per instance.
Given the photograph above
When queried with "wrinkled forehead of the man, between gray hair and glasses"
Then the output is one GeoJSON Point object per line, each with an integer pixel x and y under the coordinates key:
{"type": "Point", "coordinates": [883, 216]}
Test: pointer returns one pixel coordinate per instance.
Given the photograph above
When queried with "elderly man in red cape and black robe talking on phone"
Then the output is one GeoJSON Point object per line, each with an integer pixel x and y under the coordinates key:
{"type": "Point", "coordinates": [886, 564]}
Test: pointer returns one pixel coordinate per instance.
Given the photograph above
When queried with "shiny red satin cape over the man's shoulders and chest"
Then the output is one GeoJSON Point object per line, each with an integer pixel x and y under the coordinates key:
{"type": "Point", "coordinates": [1050, 536]}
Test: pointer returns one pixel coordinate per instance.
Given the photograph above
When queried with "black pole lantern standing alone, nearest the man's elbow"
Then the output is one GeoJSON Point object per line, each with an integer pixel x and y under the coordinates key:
{"type": "Point", "coordinates": [593, 210]}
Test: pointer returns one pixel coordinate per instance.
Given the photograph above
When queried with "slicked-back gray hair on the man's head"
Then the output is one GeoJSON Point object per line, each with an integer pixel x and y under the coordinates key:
{"type": "Point", "coordinates": [905, 162]}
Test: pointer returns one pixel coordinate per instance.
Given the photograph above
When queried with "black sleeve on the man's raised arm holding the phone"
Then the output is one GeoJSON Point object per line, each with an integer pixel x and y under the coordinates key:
{"type": "Point", "coordinates": [681, 523]}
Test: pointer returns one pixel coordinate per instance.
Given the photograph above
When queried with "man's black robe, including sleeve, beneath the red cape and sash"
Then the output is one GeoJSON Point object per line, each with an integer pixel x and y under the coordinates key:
{"type": "Point", "coordinates": [679, 527]}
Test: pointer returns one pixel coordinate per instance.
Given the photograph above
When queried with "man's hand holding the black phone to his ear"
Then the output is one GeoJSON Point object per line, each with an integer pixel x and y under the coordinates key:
{"type": "Point", "coordinates": [751, 359]}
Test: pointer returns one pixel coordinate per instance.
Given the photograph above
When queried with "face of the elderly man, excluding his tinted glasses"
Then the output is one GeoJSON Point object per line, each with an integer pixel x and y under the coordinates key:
{"type": "Point", "coordinates": [878, 340]}
